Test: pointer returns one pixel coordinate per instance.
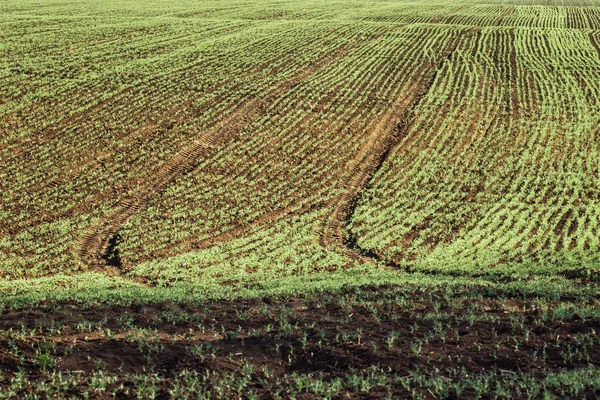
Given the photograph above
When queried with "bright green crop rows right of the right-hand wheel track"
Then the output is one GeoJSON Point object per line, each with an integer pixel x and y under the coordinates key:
{"type": "Point", "coordinates": [499, 172]}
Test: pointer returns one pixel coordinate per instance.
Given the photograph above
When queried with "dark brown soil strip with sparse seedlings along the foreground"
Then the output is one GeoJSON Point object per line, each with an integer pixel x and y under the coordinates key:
{"type": "Point", "coordinates": [399, 338]}
